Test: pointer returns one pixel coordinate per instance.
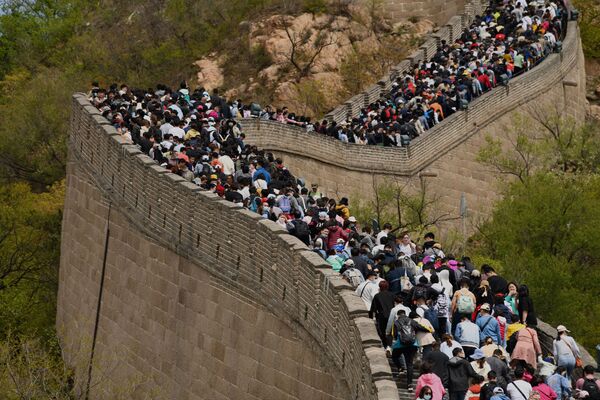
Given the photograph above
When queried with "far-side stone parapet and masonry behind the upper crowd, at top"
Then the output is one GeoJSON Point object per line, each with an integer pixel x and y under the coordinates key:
{"type": "Point", "coordinates": [453, 16]}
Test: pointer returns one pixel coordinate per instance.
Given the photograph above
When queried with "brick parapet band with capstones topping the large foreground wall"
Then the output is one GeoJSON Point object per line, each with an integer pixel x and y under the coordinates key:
{"type": "Point", "coordinates": [236, 246]}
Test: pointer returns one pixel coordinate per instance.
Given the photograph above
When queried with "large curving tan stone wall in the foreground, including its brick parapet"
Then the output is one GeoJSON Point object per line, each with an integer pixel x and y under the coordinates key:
{"type": "Point", "coordinates": [199, 299]}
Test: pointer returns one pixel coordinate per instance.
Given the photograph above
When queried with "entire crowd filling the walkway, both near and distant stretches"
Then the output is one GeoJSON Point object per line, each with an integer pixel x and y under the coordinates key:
{"type": "Point", "coordinates": [471, 331]}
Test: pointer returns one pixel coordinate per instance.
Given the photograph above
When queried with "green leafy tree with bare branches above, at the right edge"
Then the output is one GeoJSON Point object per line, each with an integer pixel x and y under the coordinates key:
{"type": "Point", "coordinates": [544, 230]}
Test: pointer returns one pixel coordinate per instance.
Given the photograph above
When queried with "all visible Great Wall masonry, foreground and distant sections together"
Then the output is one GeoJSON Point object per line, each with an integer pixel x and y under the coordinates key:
{"type": "Point", "coordinates": [209, 301]}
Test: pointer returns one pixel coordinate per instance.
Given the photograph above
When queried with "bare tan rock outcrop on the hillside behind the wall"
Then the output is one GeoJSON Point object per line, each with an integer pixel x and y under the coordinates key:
{"type": "Point", "coordinates": [307, 51]}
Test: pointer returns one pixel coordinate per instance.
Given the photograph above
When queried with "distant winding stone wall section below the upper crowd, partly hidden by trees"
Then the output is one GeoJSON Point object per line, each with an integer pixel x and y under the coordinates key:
{"type": "Point", "coordinates": [446, 155]}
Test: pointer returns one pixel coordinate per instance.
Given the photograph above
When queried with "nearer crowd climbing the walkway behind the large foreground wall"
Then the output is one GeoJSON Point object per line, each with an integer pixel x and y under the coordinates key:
{"type": "Point", "coordinates": [471, 330]}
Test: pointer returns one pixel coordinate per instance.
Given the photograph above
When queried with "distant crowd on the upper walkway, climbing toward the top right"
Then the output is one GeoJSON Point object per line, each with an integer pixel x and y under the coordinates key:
{"type": "Point", "coordinates": [511, 37]}
